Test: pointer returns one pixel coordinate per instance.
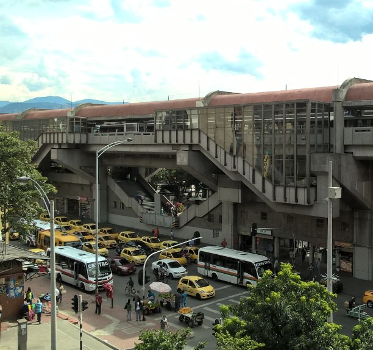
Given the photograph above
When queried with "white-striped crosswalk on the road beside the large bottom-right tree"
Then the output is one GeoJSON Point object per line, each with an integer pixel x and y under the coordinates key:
{"type": "Point", "coordinates": [210, 310]}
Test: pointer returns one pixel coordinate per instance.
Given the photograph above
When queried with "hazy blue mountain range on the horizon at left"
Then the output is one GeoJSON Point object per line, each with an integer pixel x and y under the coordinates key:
{"type": "Point", "coordinates": [47, 102]}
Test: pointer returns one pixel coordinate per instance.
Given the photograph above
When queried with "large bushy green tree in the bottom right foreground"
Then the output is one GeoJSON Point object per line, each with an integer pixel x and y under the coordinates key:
{"type": "Point", "coordinates": [284, 312]}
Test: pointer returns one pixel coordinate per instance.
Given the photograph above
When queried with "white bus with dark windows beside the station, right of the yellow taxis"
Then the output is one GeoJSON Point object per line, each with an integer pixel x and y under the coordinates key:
{"type": "Point", "coordinates": [231, 265]}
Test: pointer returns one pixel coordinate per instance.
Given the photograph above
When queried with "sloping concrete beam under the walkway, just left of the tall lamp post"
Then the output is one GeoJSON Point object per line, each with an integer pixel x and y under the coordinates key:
{"type": "Point", "coordinates": [74, 159]}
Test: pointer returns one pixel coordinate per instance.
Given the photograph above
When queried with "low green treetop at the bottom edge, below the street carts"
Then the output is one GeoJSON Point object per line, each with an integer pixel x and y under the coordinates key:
{"type": "Point", "coordinates": [165, 340]}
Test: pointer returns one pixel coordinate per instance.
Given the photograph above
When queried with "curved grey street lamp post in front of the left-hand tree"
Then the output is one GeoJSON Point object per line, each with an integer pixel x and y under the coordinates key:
{"type": "Point", "coordinates": [49, 205]}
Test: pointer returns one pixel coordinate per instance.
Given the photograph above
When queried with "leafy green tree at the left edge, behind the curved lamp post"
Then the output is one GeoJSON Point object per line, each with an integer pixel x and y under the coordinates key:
{"type": "Point", "coordinates": [17, 200]}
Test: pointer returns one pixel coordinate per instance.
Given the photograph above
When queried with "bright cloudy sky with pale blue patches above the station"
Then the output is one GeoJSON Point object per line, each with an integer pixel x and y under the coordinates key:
{"type": "Point", "coordinates": [152, 50]}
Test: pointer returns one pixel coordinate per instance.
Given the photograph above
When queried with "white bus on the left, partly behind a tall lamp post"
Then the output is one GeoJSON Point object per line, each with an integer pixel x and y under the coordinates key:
{"type": "Point", "coordinates": [78, 267]}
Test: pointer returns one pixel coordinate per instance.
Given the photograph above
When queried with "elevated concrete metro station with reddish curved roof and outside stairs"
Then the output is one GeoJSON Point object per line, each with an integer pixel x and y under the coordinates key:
{"type": "Point", "coordinates": [263, 157]}
